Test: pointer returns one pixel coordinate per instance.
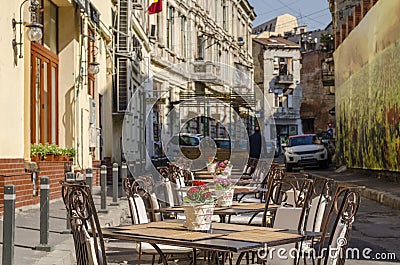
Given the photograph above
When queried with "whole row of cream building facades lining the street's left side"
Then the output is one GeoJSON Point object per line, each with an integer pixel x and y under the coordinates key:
{"type": "Point", "coordinates": [75, 86]}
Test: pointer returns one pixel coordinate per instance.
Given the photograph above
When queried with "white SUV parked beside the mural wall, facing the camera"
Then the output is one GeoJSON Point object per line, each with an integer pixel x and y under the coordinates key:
{"type": "Point", "coordinates": [303, 150]}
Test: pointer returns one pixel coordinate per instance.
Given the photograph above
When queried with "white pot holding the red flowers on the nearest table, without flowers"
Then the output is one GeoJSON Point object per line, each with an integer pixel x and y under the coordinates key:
{"type": "Point", "coordinates": [198, 216]}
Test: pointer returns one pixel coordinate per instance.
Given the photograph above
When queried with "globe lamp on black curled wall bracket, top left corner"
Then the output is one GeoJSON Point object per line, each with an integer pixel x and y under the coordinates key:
{"type": "Point", "coordinates": [34, 32]}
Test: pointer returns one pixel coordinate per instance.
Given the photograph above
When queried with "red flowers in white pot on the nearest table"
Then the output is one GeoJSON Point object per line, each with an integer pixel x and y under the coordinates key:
{"type": "Point", "coordinates": [198, 207]}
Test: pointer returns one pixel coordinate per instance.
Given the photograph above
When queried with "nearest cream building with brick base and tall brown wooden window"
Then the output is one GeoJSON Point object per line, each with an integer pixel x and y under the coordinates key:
{"type": "Point", "coordinates": [52, 88]}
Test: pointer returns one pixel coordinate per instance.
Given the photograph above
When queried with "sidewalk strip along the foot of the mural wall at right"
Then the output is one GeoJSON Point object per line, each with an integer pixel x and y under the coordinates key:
{"type": "Point", "coordinates": [381, 190]}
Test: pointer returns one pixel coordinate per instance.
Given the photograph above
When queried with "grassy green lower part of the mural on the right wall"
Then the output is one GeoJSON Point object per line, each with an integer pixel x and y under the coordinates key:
{"type": "Point", "coordinates": [368, 108]}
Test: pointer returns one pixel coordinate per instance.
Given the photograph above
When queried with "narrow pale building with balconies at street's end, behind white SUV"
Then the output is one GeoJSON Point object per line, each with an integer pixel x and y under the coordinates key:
{"type": "Point", "coordinates": [277, 73]}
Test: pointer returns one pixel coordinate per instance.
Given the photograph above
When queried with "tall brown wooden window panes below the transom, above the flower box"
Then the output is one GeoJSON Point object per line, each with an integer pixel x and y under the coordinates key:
{"type": "Point", "coordinates": [44, 94]}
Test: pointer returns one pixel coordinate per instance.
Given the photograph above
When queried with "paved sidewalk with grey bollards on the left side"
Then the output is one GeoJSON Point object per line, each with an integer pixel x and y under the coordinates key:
{"type": "Point", "coordinates": [27, 231]}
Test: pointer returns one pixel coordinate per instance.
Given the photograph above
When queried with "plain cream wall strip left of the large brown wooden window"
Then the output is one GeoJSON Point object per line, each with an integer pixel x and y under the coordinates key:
{"type": "Point", "coordinates": [12, 86]}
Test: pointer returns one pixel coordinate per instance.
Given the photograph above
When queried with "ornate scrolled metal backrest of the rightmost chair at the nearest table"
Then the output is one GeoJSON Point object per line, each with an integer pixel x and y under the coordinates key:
{"type": "Point", "coordinates": [337, 228]}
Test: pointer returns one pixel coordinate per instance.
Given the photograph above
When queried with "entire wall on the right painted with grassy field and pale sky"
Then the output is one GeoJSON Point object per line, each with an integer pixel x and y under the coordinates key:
{"type": "Point", "coordinates": [368, 91]}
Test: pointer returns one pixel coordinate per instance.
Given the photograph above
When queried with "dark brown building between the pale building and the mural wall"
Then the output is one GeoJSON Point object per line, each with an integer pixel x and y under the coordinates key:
{"type": "Point", "coordinates": [317, 80]}
